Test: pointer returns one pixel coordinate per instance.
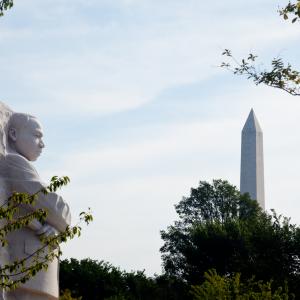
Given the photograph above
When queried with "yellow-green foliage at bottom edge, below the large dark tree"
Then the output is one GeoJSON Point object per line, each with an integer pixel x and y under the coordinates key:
{"type": "Point", "coordinates": [226, 288]}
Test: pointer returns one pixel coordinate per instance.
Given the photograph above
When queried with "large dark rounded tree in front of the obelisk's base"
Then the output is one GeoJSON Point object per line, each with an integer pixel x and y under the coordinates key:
{"type": "Point", "coordinates": [220, 228]}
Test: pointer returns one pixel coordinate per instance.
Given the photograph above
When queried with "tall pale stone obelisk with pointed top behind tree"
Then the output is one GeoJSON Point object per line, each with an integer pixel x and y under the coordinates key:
{"type": "Point", "coordinates": [252, 160]}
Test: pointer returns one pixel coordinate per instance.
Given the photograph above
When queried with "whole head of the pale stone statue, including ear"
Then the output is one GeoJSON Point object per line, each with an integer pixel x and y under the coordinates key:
{"type": "Point", "coordinates": [25, 135]}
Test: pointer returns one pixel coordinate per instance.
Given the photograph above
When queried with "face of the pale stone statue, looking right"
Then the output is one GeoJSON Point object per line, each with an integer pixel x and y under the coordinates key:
{"type": "Point", "coordinates": [28, 139]}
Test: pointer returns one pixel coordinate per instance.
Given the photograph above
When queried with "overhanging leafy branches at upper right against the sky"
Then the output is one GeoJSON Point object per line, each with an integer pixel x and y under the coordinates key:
{"type": "Point", "coordinates": [281, 75]}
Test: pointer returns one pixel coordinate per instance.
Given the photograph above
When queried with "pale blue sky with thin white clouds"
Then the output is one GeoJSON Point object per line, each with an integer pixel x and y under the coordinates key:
{"type": "Point", "coordinates": [136, 110]}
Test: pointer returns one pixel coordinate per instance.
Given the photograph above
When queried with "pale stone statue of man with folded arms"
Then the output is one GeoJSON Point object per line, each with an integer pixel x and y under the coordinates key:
{"type": "Point", "coordinates": [21, 142]}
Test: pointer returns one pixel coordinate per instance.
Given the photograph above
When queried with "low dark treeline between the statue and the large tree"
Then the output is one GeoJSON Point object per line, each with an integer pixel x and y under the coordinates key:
{"type": "Point", "coordinates": [101, 281]}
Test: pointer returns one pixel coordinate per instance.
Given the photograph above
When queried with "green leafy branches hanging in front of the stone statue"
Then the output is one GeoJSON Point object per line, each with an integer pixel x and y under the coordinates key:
{"type": "Point", "coordinates": [20, 271]}
